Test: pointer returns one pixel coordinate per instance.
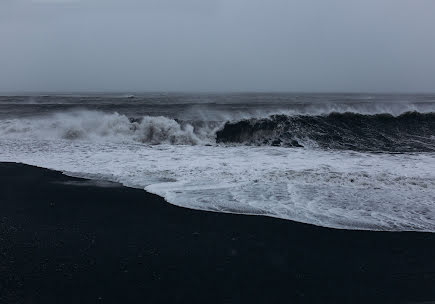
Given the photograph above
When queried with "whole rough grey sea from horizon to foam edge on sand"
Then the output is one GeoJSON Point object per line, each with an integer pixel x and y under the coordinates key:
{"type": "Point", "coordinates": [346, 161]}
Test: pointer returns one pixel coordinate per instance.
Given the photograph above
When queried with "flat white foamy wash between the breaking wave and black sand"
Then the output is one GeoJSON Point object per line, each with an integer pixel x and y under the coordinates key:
{"type": "Point", "coordinates": [337, 189]}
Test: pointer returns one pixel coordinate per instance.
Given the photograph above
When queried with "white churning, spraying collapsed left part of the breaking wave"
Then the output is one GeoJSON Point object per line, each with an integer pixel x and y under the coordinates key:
{"type": "Point", "coordinates": [98, 126]}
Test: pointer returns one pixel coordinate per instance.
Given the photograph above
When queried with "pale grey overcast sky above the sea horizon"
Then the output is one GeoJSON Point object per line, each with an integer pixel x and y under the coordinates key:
{"type": "Point", "coordinates": [217, 45]}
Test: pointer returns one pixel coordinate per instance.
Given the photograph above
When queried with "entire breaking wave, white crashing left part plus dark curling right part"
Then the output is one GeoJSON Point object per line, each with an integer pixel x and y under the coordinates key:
{"type": "Point", "coordinates": [408, 132]}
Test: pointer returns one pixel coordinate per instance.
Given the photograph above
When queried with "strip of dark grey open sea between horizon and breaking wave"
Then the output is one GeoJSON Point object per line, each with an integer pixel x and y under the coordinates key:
{"type": "Point", "coordinates": [230, 106]}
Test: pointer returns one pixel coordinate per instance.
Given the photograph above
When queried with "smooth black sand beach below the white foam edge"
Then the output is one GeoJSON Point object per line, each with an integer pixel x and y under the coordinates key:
{"type": "Point", "coordinates": [66, 240]}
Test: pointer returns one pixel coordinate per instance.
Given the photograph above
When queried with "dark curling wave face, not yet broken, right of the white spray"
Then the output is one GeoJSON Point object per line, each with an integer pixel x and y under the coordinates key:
{"type": "Point", "coordinates": [408, 132]}
